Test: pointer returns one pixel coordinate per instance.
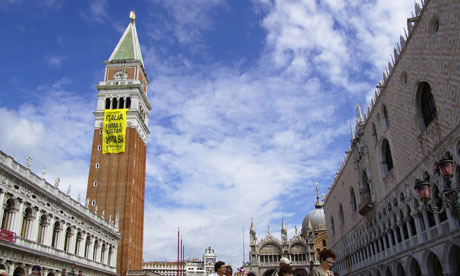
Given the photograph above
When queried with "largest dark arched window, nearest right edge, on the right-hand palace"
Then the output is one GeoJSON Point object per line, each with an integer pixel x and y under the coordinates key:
{"type": "Point", "coordinates": [426, 104]}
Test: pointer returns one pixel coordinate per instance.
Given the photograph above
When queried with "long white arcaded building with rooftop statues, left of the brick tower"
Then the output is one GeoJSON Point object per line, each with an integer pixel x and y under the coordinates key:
{"type": "Point", "coordinates": [52, 229]}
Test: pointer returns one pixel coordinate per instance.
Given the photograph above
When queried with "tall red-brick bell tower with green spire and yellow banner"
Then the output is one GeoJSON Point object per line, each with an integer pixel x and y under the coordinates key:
{"type": "Point", "coordinates": [116, 180]}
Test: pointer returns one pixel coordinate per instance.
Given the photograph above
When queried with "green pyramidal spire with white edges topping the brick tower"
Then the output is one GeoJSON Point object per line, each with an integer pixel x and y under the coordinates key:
{"type": "Point", "coordinates": [128, 47]}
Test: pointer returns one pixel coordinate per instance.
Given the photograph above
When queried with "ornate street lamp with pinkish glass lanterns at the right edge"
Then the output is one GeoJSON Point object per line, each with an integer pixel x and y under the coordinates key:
{"type": "Point", "coordinates": [450, 197]}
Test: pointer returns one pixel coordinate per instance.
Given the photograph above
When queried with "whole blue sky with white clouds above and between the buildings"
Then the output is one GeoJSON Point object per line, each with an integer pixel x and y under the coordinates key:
{"type": "Point", "coordinates": [251, 103]}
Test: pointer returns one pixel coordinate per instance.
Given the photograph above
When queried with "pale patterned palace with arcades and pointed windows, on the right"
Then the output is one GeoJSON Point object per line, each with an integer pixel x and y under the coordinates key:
{"type": "Point", "coordinates": [393, 207]}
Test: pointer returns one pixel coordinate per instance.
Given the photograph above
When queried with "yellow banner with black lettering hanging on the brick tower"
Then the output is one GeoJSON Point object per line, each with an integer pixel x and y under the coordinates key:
{"type": "Point", "coordinates": [114, 131]}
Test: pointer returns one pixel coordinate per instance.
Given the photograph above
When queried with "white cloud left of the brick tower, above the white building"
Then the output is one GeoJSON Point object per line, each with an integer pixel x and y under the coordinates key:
{"type": "Point", "coordinates": [56, 131]}
